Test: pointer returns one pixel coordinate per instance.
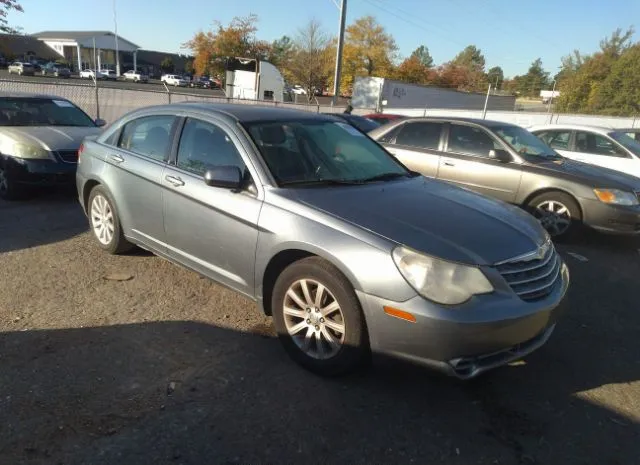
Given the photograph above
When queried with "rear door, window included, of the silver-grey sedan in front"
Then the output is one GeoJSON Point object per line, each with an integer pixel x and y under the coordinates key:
{"type": "Point", "coordinates": [134, 172]}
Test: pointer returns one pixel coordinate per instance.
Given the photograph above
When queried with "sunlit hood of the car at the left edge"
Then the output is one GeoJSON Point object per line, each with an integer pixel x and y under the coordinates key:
{"type": "Point", "coordinates": [49, 137]}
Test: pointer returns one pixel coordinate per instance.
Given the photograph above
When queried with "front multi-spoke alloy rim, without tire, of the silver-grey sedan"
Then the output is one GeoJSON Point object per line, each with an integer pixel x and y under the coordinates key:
{"type": "Point", "coordinates": [314, 319]}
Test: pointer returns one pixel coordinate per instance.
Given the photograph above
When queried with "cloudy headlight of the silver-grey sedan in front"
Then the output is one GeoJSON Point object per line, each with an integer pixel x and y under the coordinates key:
{"type": "Point", "coordinates": [438, 280]}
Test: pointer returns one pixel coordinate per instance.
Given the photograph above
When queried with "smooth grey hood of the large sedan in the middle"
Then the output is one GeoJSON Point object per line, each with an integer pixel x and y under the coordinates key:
{"type": "Point", "coordinates": [432, 217]}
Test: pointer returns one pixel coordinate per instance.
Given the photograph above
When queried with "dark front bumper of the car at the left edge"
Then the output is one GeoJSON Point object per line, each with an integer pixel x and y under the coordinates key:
{"type": "Point", "coordinates": [44, 172]}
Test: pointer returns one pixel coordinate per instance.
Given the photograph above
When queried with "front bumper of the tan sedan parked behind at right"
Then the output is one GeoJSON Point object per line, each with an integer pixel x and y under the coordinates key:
{"type": "Point", "coordinates": [611, 219]}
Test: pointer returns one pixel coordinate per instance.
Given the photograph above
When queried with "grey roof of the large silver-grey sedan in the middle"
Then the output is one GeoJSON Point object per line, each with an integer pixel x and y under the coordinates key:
{"type": "Point", "coordinates": [250, 113]}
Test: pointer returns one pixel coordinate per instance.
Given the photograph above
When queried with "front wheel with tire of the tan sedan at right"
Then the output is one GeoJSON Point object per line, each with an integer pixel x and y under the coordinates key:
{"type": "Point", "coordinates": [557, 212]}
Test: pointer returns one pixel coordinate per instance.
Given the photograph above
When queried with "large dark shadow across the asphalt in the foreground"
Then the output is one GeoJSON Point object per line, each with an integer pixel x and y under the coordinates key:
{"type": "Point", "coordinates": [192, 393]}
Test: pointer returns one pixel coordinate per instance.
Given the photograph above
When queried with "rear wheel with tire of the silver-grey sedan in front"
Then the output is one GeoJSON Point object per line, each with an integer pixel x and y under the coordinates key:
{"type": "Point", "coordinates": [105, 223]}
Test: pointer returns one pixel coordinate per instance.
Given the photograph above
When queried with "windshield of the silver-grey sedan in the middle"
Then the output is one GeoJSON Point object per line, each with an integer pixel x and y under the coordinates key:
{"type": "Point", "coordinates": [322, 152]}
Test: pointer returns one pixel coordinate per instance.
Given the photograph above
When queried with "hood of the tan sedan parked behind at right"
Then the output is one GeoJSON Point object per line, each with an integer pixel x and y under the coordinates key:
{"type": "Point", "coordinates": [594, 176]}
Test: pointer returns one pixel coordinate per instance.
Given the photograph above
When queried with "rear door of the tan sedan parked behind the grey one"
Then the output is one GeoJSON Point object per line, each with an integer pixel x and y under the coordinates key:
{"type": "Point", "coordinates": [417, 145]}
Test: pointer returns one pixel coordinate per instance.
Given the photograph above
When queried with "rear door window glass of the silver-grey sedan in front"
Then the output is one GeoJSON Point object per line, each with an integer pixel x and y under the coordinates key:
{"type": "Point", "coordinates": [149, 135]}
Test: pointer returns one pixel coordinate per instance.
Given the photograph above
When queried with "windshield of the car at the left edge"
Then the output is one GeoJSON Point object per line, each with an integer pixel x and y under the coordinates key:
{"type": "Point", "coordinates": [21, 111]}
